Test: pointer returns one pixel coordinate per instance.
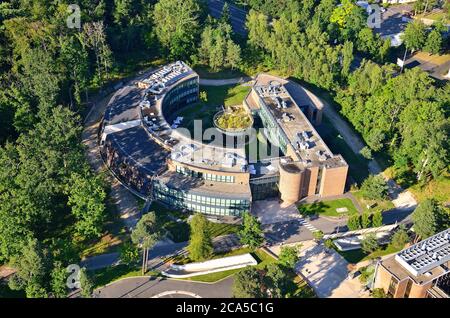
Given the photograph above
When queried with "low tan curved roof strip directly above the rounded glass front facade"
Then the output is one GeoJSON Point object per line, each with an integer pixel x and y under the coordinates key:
{"type": "Point", "coordinates": [193, 185]}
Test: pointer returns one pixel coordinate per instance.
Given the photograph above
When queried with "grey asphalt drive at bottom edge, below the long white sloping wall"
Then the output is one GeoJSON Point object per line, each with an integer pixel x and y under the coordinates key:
{"type": "Point", "coordinates": [147, 287]}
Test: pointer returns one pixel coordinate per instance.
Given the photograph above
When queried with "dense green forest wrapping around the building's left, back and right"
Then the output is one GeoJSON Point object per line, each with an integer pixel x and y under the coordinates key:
{"type": "Point", "coordinates": [50, 201]}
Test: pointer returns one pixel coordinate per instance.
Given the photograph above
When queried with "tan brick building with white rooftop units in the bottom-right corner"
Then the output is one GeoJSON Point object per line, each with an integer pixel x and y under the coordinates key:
{"type": "Point", "coordinates": [419, 271]}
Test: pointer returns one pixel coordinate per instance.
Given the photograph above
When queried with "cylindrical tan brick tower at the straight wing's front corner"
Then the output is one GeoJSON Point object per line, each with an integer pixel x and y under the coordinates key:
{"type": "Point", "coordinates": [291, 178]}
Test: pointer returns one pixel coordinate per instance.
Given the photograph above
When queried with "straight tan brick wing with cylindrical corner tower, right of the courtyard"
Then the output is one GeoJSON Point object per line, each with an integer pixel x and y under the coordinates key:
{"type": "Point", "coordinates": [288, 110]}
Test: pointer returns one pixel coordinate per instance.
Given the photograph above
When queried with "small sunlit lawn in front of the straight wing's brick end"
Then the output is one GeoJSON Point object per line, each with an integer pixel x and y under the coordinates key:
{"type": "Point", "coordinates": [327, 208]}
